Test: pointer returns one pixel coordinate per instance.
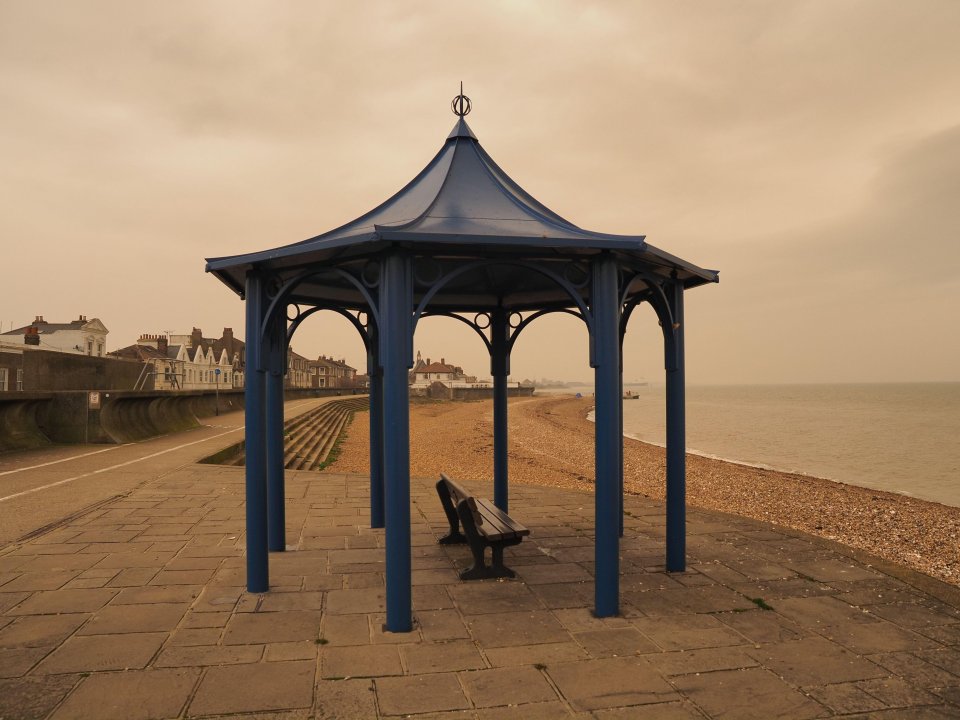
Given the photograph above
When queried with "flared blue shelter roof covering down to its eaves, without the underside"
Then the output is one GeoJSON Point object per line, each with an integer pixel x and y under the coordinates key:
{"type": "Point", "coordinates": [461, 203]}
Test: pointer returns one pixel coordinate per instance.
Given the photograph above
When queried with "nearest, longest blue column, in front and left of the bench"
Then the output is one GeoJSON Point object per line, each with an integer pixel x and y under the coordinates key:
{"type": "Point", "coordinates": [396, 343]}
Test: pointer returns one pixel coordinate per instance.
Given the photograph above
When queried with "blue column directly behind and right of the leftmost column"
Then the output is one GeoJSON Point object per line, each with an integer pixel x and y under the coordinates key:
{"type": "Point", "coordinates": [276, 494]}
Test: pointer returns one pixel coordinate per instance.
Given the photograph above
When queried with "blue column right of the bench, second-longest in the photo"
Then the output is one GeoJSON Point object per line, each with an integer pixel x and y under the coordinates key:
{"type": "Point", "coordinates": [605, 303]}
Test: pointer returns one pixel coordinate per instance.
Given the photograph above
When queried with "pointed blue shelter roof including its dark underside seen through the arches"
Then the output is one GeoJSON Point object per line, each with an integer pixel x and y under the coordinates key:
{"type": "Point", "coordinates": [461, 206]}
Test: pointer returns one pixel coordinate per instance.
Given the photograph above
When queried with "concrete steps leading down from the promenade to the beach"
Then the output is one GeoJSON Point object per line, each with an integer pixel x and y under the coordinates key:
{"type": "Point", "coordinates": [309, 438]}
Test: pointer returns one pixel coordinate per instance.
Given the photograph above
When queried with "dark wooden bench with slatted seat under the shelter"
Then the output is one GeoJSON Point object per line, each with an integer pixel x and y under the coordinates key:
{"type": "Point", "coordinates": [484, 525]}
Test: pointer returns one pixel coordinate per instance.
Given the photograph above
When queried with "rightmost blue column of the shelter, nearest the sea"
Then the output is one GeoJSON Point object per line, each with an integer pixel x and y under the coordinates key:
{"type": "Point", "coordinates": [676, 440]}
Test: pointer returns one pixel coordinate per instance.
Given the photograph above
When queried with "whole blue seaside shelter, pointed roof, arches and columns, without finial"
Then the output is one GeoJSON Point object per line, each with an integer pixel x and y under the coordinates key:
{"type": "Point", "coordinates": [368, 265]}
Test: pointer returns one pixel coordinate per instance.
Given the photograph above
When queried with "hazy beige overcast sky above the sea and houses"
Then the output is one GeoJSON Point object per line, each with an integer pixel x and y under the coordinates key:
{"type": "Point", "coordinates": [810, 151]}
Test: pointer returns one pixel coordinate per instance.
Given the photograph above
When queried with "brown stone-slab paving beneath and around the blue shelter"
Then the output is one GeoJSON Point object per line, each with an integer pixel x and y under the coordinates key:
{"type": "Point", "coordinates": [136, 609]}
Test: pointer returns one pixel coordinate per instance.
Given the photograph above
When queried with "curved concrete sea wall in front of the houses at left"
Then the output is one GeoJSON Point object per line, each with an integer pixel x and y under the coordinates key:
{"type": "Point", "coordinates": [30, 420]}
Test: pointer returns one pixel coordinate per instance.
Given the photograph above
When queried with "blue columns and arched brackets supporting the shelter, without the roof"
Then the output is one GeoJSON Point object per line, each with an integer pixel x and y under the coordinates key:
{"type": "Point", "coordinates": [390, 355]}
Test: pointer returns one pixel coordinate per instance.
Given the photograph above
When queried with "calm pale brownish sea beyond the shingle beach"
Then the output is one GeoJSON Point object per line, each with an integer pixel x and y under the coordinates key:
{"type": "Point", "coordinates": [899, 437]}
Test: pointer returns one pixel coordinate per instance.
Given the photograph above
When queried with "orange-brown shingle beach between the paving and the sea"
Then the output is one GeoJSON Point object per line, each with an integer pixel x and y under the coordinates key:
{"type": "Point", "coordinates": [551, 444]}
